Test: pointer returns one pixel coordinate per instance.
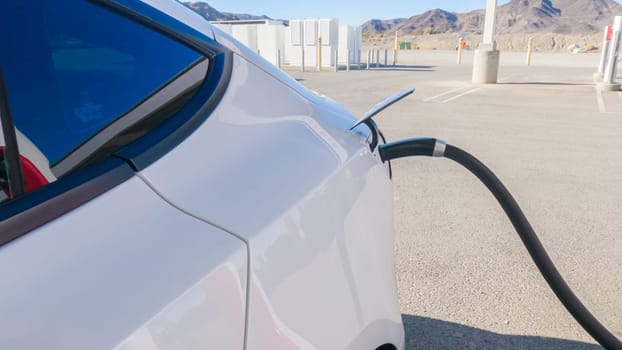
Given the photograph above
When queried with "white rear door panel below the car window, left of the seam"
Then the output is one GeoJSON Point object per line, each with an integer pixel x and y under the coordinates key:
{"type": "Point", "coordinates": [124, 270]}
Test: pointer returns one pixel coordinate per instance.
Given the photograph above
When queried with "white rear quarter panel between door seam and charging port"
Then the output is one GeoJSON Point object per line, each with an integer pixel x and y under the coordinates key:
{"type": "Point", "coordinates": [286, 175]}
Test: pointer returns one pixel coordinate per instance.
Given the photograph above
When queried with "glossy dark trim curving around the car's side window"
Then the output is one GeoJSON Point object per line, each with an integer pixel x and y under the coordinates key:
{"type": "Point", "coordinates": [32, 210]}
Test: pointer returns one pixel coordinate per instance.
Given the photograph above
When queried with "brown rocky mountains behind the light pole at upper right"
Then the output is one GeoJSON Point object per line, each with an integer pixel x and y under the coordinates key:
{"type": "Point", "coordinates": [517, 16]}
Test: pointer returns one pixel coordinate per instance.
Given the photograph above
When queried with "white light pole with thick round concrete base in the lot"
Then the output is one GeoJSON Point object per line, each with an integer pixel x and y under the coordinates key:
{"type": "Point", "coordinates": [486, 58]}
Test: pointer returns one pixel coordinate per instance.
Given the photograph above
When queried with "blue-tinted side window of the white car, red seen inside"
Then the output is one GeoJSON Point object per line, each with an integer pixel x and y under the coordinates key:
{"type": "Point", "coordinates": [81, 79]}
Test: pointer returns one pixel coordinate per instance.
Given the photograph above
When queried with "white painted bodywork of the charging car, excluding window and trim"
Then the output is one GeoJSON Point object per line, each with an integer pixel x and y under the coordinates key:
{"type": "Point", "coordinates": [268, 227]}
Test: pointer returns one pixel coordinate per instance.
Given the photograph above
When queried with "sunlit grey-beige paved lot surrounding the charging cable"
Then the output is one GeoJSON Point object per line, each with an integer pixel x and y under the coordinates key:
{"type": "Point", "coordinates": [465, 280]}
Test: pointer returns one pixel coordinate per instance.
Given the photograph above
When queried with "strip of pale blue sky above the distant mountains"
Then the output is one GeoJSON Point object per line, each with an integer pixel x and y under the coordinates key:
{"type": "Point", "coordinates": [348, 11]}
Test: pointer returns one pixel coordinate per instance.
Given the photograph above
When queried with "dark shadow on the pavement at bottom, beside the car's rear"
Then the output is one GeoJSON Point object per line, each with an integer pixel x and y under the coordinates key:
{"type": "Point", "coordinates": [429, 334]}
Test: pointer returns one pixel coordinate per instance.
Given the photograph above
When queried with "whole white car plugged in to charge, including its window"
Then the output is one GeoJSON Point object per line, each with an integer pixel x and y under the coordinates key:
{"type": "Point", "coordinates": [165, 188]}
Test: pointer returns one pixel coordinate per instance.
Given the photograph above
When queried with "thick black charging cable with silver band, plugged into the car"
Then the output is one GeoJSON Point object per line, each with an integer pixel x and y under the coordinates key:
{"type": "Point", "coordinates": [418, 147]}
